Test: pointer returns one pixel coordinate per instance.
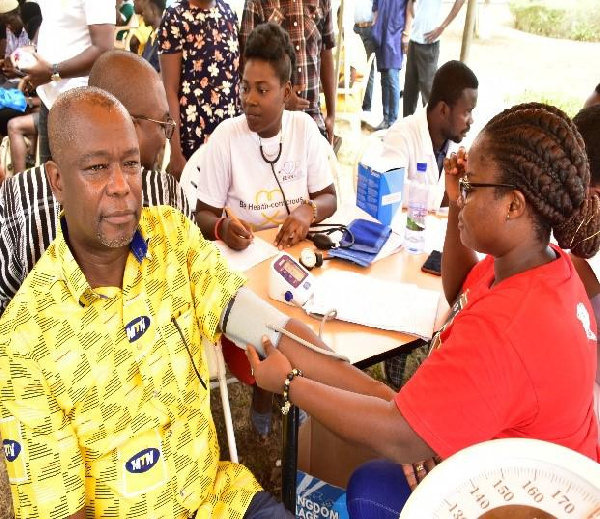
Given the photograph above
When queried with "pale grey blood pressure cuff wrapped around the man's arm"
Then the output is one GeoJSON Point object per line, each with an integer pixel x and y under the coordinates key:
{"type": "Point", "coordinates": [246, 320]}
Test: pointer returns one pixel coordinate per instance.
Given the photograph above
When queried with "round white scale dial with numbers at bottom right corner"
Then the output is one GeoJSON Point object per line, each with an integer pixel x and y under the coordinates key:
{"type": "Point", "coordinates": [512, 478]}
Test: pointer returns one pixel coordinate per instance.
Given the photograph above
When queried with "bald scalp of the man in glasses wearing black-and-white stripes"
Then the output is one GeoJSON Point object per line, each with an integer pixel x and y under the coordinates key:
{"type": "Point", "coordinates": [125, 75]}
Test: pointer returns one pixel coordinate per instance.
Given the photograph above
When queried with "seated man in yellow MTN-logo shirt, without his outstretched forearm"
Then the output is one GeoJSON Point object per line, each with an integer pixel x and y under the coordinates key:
{"type": "Point", "coordinates": [105, 408]}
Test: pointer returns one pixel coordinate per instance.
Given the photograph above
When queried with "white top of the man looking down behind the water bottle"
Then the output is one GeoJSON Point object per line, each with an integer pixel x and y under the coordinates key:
{"type": "Point", "coordinates": [408, 142]}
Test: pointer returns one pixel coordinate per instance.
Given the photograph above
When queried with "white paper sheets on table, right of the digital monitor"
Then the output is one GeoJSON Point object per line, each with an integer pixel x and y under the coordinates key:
{"type": "Point", "coordinates": [388, 305]}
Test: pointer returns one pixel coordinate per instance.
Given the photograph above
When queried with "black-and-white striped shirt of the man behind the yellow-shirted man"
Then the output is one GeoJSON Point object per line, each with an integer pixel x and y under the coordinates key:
{"type": "Point", "coordinates": [29, 216]}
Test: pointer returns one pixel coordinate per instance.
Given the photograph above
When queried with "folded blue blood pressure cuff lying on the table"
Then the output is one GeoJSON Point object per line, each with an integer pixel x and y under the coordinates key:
{"type": "Point", "coordinates": [369, 237]}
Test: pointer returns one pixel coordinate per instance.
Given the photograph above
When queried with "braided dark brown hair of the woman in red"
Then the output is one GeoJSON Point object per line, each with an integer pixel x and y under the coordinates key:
{"type": "Point", "coordinates": [539, 150]}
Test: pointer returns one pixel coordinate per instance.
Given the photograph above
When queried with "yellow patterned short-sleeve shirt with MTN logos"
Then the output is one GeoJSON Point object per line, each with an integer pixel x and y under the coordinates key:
{"type": "Point", "coordinates": [101, 403]}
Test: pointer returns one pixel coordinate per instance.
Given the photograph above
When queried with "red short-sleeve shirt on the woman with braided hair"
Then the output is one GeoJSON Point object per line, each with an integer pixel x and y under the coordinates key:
{"type": "Point", "coordinates": [517, 360]}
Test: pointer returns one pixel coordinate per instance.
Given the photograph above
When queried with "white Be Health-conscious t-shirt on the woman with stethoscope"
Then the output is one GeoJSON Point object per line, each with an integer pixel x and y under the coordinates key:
{"type": "Point", "coordinates": [233, 174]}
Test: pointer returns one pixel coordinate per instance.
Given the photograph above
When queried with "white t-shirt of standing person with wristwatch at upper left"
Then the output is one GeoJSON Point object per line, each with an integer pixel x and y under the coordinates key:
{"type": "Point", "coordinates": [64, 34]}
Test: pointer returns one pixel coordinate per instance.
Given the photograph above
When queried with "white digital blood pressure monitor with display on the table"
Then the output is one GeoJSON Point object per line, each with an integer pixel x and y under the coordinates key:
{"type": "Point", "coordinates": [289, 281]}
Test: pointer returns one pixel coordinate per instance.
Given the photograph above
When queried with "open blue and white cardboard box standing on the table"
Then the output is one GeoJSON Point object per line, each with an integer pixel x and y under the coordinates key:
{"type": "Point", "coordinates": [379, 193]}
